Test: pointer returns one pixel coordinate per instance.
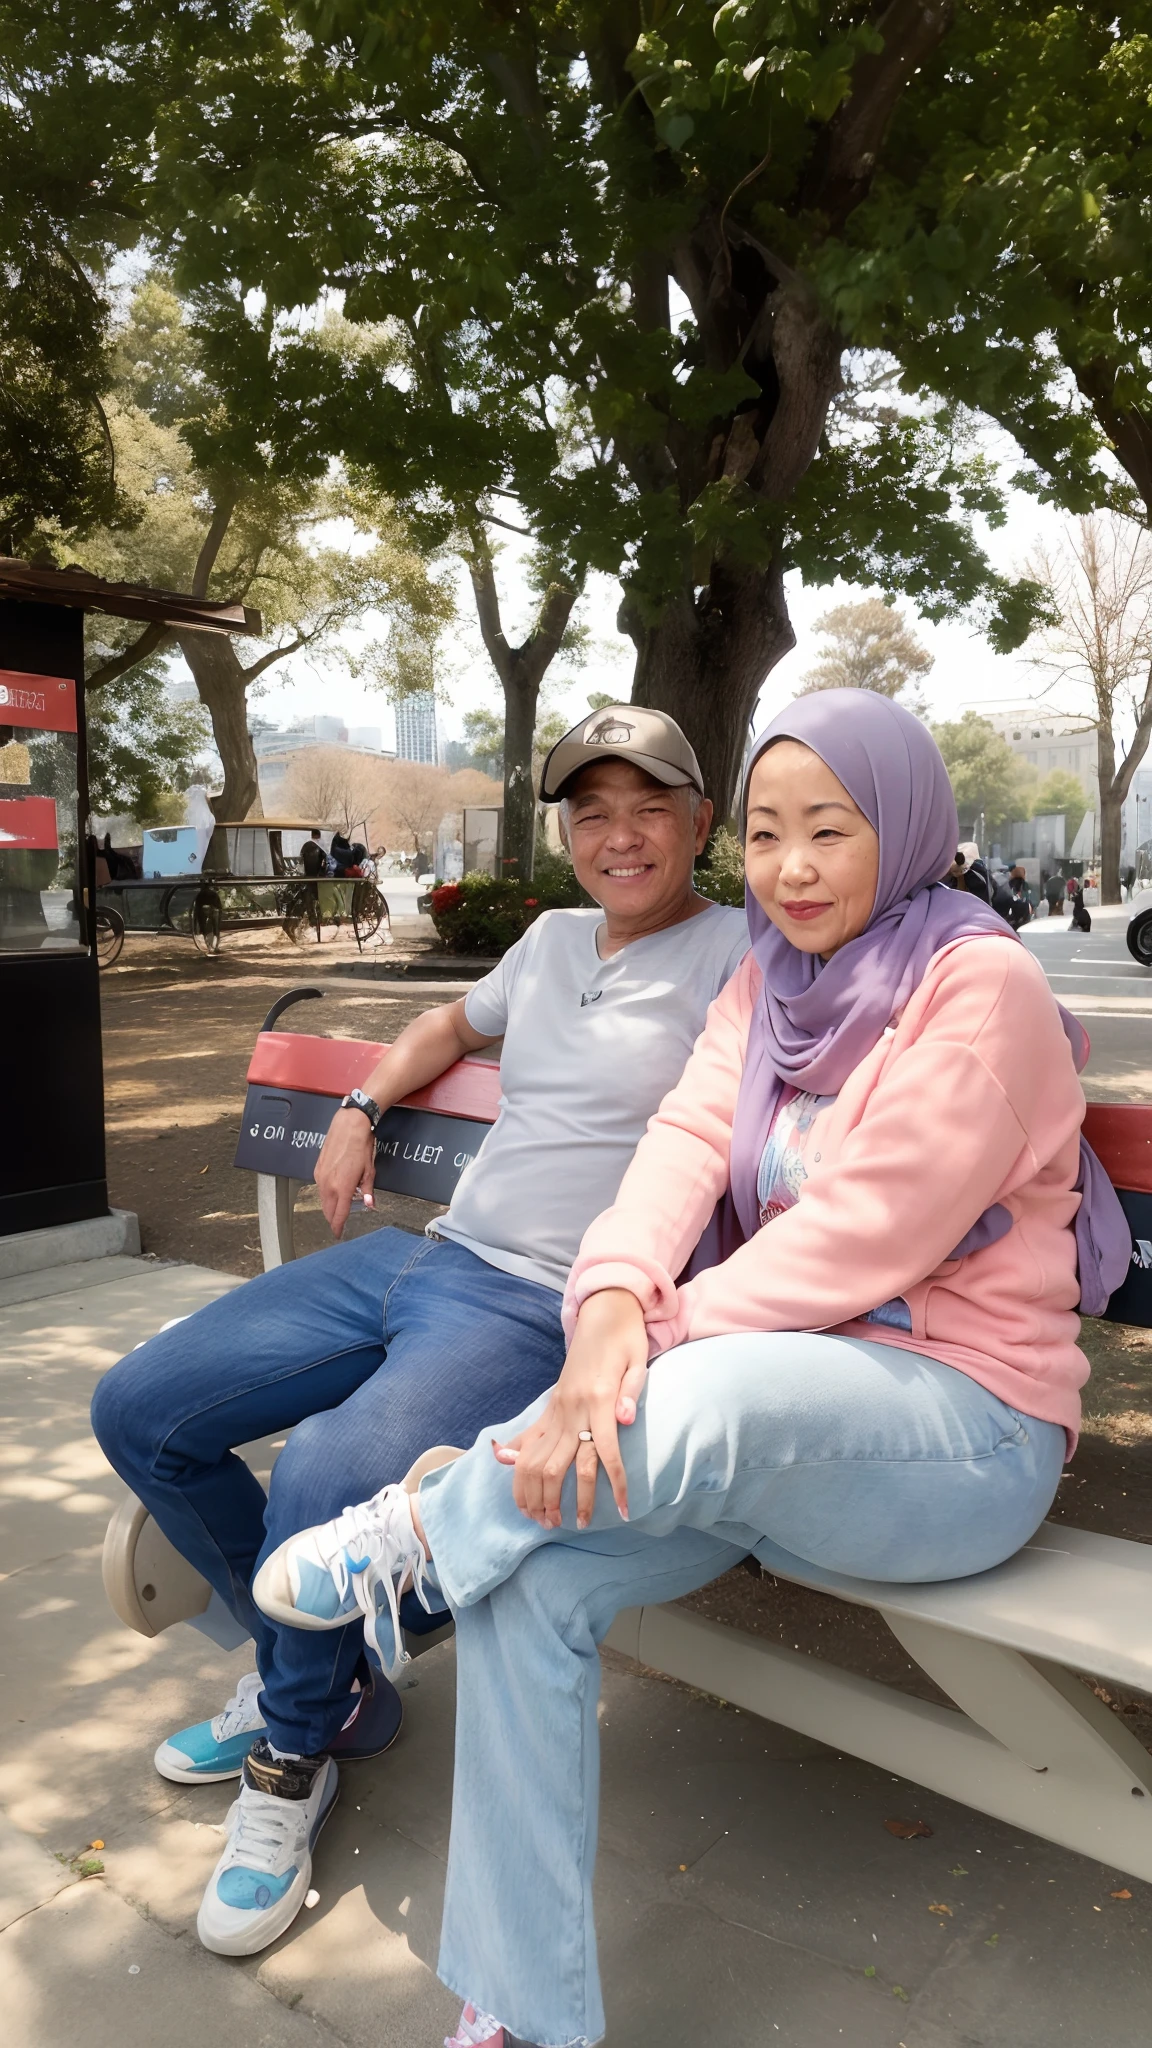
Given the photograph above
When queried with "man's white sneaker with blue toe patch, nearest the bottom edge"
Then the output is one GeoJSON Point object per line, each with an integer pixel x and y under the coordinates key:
{"type": "Point", "coordinates": [261, 1881]}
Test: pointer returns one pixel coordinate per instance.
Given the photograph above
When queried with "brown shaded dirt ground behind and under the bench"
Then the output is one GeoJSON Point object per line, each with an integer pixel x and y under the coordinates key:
{"type": "Point", "coordinates": [177, 1041]}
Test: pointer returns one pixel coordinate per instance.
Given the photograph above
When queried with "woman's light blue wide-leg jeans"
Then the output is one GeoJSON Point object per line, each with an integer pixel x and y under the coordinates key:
{"type": "Point", "coordinates": [860, 1457]}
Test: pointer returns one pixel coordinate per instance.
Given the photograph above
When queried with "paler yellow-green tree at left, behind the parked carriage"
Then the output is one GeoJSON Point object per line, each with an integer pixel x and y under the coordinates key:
{"type": "Point", "coordinates": [233, 529]}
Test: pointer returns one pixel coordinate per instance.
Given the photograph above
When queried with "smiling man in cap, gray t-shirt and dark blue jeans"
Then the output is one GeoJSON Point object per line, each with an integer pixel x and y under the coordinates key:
{"type": "Point", "coordinates": [380, 1349]}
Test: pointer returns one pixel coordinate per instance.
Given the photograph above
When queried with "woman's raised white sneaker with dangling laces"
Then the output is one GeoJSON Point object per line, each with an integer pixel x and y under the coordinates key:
{"type": "Point", "coordinates": [321, 1578]}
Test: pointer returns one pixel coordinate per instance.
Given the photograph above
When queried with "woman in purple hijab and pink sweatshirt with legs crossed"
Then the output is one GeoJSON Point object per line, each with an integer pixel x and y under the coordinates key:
{"type": "Point", "coordinates": [880, 1373]}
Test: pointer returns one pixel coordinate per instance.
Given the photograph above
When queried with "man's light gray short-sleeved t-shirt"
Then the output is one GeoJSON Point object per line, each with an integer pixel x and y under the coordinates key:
{"type": "Point", "coordinates": [591, 1048]}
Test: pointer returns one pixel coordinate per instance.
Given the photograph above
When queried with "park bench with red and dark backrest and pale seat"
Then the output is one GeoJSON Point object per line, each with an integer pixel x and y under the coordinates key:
{"type": "Point", "coordinates": [1026, 1738]}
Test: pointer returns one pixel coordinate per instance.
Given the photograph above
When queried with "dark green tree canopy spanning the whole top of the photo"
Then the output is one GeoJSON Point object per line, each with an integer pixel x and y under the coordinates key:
{"type": "Point", "coordinates": [602, 269]}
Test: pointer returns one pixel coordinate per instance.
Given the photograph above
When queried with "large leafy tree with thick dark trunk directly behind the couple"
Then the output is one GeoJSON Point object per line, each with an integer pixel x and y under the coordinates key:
{"type": "Point", "coordinates": [593, 253]}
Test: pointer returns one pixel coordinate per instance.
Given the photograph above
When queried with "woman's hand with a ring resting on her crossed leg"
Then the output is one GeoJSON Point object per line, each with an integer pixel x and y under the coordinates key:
{"type": "Point", "coordinates": [598, 1390]}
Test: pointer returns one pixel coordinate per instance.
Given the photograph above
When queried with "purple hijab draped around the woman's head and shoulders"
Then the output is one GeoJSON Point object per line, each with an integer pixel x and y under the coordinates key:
{"type": "Point", "coordinates": [817, 1021]}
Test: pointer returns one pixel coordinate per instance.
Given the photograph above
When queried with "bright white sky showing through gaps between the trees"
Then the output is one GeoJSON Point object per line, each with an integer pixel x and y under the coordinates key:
{"type": "Point", "coordinates": [966, 671]}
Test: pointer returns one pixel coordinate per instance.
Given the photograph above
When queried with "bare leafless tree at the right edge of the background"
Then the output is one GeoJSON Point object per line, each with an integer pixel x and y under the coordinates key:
{"type": "Point", "coordinates": [1100, 583]}
